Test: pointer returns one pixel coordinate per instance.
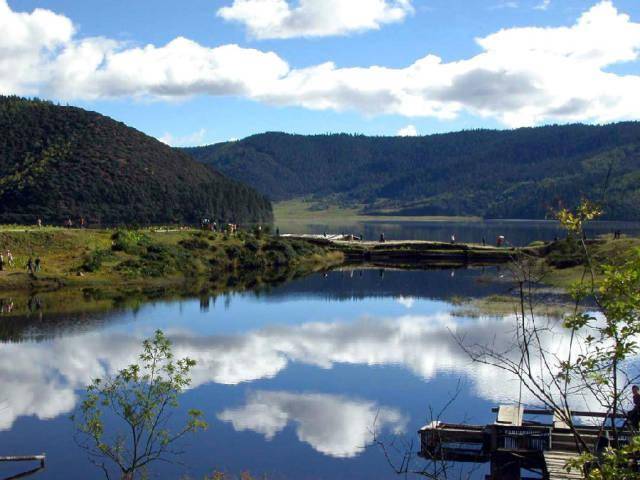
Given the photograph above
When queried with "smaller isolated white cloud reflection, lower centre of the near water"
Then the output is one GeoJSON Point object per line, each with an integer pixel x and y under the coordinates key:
{"type": "Point", "coordinates": [331, 424]}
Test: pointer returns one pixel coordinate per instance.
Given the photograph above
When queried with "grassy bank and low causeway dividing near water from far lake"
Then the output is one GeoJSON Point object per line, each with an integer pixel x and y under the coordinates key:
{"type": "Point", "coordinates": [86, 271]}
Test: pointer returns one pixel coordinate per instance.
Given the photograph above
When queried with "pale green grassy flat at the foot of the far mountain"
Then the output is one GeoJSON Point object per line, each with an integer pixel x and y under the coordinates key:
{"type": "Point", "coordinates": [299, 212]}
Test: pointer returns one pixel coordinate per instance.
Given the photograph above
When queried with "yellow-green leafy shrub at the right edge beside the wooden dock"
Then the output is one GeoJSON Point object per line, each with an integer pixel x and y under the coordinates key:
{"type": "Point", "coordinates": [610, 340]}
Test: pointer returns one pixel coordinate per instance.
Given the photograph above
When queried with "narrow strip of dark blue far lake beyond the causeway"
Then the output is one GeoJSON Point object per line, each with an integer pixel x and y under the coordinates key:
{"type": "Point", "coordinates": [516, 232]}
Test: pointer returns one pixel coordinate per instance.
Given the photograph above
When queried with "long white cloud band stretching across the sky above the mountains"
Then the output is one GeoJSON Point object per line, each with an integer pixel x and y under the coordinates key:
{"type": "Point", "coordinates": [522, 76]}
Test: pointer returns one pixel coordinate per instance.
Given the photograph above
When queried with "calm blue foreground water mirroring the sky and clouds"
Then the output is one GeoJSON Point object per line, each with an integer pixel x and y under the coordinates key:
{"type": "Point", "coordinates": [292, 379]}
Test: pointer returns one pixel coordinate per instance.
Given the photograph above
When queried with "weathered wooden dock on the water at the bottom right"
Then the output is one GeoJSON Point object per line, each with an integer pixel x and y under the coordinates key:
{"type": "Point", "coordinates": [511, 444]}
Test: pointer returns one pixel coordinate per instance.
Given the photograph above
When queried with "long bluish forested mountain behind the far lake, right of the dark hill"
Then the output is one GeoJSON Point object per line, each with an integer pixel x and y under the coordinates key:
{"type": "Point", "coordinates": [496, 174]}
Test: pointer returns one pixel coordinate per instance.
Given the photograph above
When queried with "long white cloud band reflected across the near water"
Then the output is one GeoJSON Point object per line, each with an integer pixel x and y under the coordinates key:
{"type": "Point", "coordinates": [52, 372]}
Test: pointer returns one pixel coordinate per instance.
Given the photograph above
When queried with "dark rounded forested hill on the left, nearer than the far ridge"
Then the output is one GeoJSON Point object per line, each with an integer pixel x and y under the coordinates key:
{"type": "Point", "coordinates": [58, 161]}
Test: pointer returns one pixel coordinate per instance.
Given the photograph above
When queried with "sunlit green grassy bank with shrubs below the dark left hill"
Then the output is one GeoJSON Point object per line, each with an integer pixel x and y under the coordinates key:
{"type": "Point", "coordinates": [153, 258]}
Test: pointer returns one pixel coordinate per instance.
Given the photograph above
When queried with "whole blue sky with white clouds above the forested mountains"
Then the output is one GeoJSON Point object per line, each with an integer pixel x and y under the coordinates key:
{"type": "Point", "coordinates": [196, 72]}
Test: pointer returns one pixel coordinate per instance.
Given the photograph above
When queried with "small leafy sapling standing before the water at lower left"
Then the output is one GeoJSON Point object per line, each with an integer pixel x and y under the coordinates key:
{"type": "Point", "coordinates": [143, 396]}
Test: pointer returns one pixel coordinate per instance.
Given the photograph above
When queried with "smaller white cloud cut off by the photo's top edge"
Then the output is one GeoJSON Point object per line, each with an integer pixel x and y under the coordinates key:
{"type": "Point", "coordinates": [313, 18]}
